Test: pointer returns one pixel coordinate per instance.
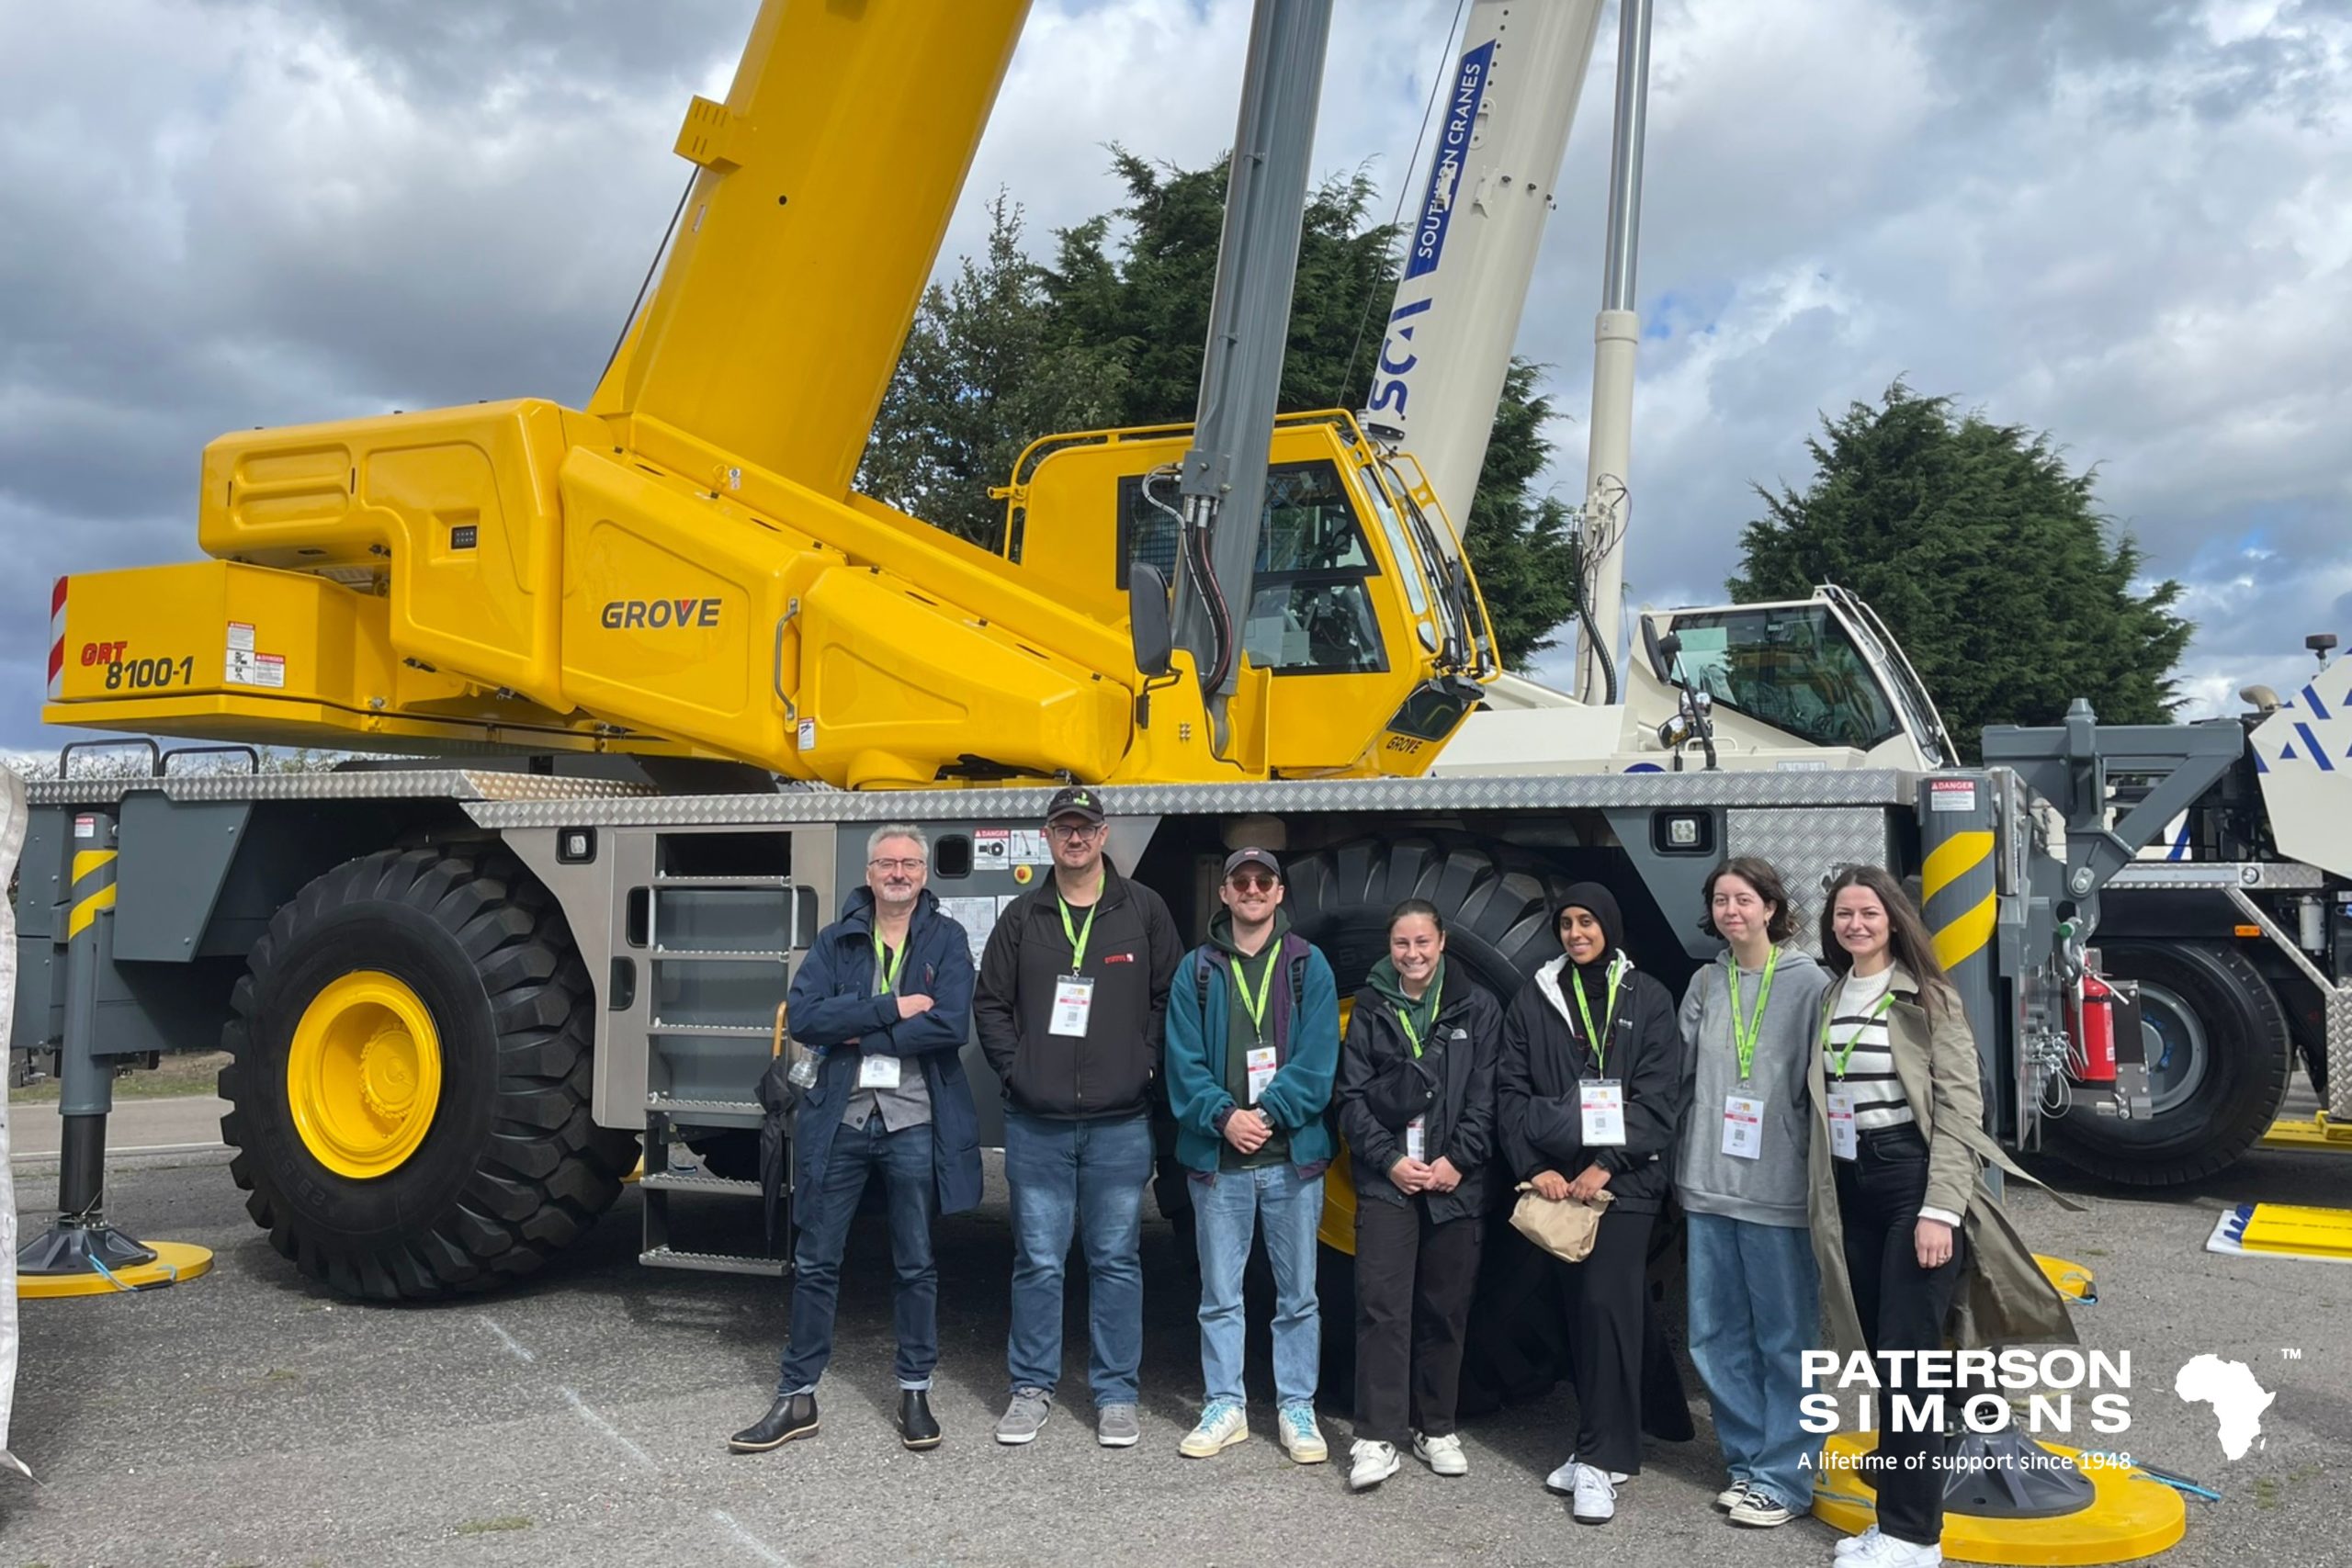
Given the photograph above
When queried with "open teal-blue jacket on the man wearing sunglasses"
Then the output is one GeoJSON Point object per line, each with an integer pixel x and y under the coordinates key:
{"type": "Point", "coordinates": [1307, 1054]}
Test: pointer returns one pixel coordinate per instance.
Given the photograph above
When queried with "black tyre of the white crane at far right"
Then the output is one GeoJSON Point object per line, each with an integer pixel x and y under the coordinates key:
{"type": "Point", "coordinates": [2219, 1066]}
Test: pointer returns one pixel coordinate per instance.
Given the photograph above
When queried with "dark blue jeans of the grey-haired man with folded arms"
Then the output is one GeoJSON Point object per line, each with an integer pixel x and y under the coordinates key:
{"type": "Point", "coordinates": [824, 1217]}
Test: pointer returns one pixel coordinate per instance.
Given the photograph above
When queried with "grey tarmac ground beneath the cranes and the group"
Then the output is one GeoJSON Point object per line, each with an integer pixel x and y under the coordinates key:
{"type": "Point", "coordinates": [253, 1419]}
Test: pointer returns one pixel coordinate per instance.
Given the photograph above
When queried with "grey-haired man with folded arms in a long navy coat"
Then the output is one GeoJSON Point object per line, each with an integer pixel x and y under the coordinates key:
{"type": "Point", "coordinates": [886, 998]}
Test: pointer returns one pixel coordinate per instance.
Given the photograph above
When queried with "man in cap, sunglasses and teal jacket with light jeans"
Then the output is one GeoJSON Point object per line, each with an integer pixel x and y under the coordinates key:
{"type": "Point", "coordinates": [1250, 1057]}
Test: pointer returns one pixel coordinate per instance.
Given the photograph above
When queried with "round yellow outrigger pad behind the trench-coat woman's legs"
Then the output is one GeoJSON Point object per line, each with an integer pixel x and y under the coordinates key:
{"type": "Point", "coordinates": [2130, 1515]}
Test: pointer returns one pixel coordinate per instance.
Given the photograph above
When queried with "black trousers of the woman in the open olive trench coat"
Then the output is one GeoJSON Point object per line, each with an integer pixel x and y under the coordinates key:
{"type": "Point", "coordinates": [1902, 1308]}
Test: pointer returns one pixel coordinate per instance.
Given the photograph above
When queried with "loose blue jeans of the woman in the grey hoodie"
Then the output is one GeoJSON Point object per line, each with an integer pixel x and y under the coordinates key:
{"type": "Point", "coordinates": [1756, 1308]}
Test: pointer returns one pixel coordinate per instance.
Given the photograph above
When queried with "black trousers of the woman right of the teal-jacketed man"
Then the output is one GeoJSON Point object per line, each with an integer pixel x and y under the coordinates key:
{"type": "Point", "coordinates": [1412, 1301]}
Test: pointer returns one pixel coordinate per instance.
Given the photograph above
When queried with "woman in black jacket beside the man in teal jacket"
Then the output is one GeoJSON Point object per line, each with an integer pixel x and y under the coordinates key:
{"type": "Point", "coordinates": [1417, 1108]}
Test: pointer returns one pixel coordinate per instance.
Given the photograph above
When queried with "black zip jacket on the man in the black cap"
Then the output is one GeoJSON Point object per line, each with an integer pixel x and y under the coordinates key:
{"type": "Point", "coordinates": [1132, 958]}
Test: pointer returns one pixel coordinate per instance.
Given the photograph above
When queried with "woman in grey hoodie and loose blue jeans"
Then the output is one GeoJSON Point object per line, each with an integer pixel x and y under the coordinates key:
{"type": "Point", "coordinates": [1742, 1179]}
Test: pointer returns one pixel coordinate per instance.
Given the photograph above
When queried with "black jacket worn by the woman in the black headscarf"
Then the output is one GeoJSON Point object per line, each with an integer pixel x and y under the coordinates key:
{"type": "Point", "coordinates": [1546, 1061]}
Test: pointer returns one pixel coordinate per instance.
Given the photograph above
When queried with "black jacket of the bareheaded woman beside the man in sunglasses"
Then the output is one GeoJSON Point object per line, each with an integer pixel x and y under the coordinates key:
{"type": "Point", "coordinates": [1379, 1080]}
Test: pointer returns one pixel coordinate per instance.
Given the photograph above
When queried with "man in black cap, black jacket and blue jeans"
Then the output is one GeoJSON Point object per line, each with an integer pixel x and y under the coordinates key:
{"type": "Point", "coordinates": [1074, 989]}
